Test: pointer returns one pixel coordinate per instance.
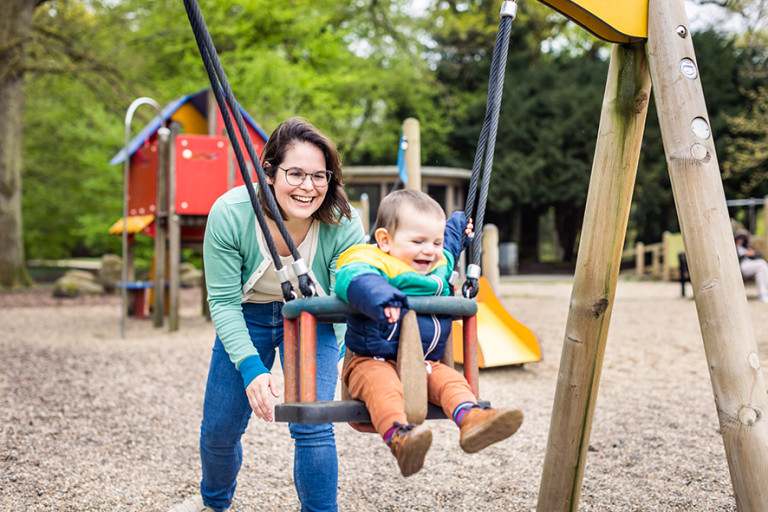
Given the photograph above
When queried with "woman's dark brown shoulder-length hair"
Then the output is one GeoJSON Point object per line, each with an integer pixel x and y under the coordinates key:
{"type": "Point", "coordinates": [290, 132]}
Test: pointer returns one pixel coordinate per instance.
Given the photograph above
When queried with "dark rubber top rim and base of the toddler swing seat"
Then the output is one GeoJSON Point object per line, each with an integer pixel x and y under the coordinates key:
{"type": "Point", "coordinates": [334, 310]}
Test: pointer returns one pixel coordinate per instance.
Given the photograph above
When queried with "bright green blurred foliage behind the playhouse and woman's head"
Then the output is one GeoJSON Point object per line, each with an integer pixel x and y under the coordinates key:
{"type": "Point", "coordinates": [349, 68]}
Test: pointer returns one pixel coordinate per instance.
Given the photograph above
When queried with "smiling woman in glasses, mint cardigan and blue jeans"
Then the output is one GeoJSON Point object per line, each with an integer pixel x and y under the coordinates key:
{"type": "Point", "coordinates": [304, 172]}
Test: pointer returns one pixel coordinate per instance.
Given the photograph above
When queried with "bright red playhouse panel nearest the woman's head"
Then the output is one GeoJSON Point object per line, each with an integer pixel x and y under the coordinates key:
{"type": "Point", "coordinates": [201, 172]}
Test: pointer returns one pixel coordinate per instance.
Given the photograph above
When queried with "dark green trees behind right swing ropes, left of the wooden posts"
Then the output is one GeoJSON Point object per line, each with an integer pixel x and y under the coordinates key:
{"type": "Point", "coordinates": [548, 117]}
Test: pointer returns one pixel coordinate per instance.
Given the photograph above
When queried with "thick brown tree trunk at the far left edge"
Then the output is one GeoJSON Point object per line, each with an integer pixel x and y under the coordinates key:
{"type": "Point", "coordinates": [15, 31]}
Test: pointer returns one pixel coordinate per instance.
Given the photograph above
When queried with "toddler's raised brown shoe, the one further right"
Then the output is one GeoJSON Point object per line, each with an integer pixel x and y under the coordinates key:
{"type": "Point", "coordinates": [483, 427]}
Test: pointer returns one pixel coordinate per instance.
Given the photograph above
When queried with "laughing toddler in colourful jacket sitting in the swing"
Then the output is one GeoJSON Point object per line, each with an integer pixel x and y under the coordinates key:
{"type": "Point", "coordinates": [415, 254]}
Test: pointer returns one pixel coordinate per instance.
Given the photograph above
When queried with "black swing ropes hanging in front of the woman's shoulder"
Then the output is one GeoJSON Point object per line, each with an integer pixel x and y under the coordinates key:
{"type": "Point", "coordinates": [221, 87]}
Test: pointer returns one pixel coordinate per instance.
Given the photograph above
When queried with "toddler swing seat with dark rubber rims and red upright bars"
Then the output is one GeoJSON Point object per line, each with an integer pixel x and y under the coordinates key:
{"type": "Point", "coordinates": [300, 318]}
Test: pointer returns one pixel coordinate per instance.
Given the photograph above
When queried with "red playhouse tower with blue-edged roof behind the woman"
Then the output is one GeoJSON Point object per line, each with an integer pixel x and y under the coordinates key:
{"type": "Point", "coordinates": [173, 174]}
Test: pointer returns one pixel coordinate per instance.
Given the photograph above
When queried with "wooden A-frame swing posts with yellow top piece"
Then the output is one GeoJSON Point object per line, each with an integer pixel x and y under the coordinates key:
{"type": "Point", "coordinates": [661, 54]}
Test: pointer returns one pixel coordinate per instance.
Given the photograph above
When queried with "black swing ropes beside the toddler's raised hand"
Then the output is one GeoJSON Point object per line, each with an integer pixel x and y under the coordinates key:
{"type": "Point", "coordinates": [486, 146]}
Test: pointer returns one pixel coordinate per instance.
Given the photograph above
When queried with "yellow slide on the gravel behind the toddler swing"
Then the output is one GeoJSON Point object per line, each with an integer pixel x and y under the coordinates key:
{"type": "Point", "coordinates": [502, 340]}
